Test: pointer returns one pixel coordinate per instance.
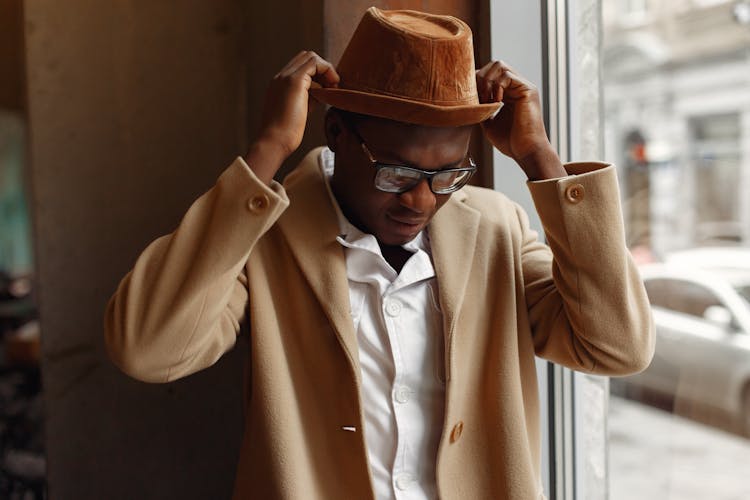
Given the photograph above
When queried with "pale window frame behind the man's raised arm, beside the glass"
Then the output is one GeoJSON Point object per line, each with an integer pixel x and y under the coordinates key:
{"type": "Point", "coordinates": [534, 38]}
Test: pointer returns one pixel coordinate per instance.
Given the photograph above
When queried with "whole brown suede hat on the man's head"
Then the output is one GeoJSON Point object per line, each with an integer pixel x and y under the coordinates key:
{"type": "Point", "coordinates": [410, 67]}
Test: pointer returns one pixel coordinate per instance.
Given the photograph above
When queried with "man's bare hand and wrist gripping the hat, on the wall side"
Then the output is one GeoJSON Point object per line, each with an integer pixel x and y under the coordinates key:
{"type": "Point", "coordinates": [285, 111]}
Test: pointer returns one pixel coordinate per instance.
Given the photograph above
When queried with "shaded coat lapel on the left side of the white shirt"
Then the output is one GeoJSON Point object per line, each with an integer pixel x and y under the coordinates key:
{"type": "Point", "coordinates": [310, 226]}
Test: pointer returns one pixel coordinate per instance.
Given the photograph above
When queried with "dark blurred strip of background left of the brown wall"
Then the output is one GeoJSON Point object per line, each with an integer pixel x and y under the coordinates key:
{"type": "Point", "coordinates": [22, 460]}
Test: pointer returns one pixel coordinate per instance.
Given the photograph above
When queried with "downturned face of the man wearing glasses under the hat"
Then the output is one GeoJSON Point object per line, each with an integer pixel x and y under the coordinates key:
{"type": "Point", "coordinates": [394, 219]}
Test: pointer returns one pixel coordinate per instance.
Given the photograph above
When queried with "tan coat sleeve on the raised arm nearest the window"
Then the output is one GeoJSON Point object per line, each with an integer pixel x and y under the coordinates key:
{"type": "Point", "coordinates": [587, 304]}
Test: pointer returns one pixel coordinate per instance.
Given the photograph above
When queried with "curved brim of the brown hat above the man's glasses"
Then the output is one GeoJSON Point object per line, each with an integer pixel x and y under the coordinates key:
{"type": "Point", "coordinates": [404, 110]}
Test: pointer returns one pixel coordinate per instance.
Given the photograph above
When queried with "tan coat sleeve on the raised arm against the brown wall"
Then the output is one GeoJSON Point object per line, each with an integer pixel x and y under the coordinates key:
{"type": "Point", "coordinates": [179, 309]}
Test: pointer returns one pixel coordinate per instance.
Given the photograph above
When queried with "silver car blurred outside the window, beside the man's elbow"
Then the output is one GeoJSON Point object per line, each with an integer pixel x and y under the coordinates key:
{"type": "Point", "coordinates": [702, 359]}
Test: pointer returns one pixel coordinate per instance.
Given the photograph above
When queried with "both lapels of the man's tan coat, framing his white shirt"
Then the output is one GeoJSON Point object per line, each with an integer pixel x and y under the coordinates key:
{"type": "Point", "coordinates": [310, 225]}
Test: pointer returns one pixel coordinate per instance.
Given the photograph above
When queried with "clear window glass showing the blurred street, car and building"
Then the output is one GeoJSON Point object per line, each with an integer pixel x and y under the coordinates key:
{"type": "Point", "coordinates": [677, 124]}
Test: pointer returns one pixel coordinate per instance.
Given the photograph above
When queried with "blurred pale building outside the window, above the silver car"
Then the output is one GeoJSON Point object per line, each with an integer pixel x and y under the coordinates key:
{"type": "Point", "coordinates": [677, 115]}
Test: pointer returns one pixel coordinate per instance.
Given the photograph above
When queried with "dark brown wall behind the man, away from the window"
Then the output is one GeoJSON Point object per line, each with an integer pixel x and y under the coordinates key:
{"type": "Point", "coordinates": [135, 107]}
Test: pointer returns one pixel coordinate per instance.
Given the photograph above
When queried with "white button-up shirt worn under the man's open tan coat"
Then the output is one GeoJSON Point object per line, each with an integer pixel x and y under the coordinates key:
{"type": "Point", "coordinates": [400, 324]}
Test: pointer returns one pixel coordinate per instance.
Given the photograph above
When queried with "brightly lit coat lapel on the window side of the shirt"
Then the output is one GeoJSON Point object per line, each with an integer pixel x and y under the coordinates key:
{"type": "Point", "coordinates": [453, 238]}
